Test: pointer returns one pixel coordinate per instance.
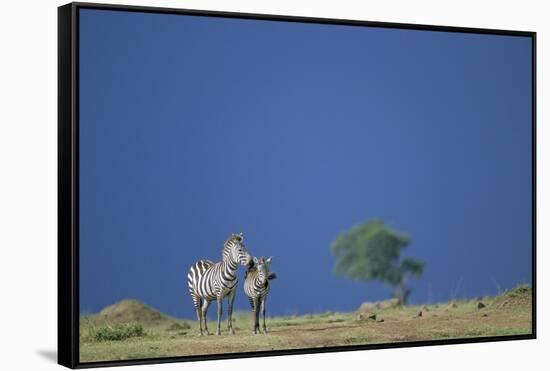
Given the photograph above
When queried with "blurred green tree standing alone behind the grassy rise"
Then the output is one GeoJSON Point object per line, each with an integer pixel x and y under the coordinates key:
{"type": "Point", "coordinates": [372, 252]}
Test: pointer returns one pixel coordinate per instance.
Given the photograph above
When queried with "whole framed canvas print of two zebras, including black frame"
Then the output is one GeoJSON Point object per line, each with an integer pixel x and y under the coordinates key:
{"type": "Point", "coordinates": [241, 185]}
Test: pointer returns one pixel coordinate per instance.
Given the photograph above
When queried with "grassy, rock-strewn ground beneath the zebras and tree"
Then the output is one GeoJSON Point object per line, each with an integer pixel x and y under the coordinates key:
{"type": "Point", "coordinates": [507, 314]}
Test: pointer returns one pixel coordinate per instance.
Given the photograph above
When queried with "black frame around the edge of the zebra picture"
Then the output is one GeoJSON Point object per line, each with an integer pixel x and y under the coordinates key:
{"type": "Point", "coordinates": [68, 181]}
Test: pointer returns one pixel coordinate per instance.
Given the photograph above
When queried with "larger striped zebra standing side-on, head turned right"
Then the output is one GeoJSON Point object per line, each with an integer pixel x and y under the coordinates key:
{"type": "Point", "coordinates": [209, 281]}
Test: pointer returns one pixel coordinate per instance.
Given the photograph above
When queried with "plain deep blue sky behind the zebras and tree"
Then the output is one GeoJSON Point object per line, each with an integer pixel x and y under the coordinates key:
{"type": "Point", "coordinates": [192, 128]}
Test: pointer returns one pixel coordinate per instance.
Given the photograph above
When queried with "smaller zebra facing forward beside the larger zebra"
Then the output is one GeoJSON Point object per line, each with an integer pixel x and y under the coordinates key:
{"type": "Point", "coordinates": [256, 287]}
